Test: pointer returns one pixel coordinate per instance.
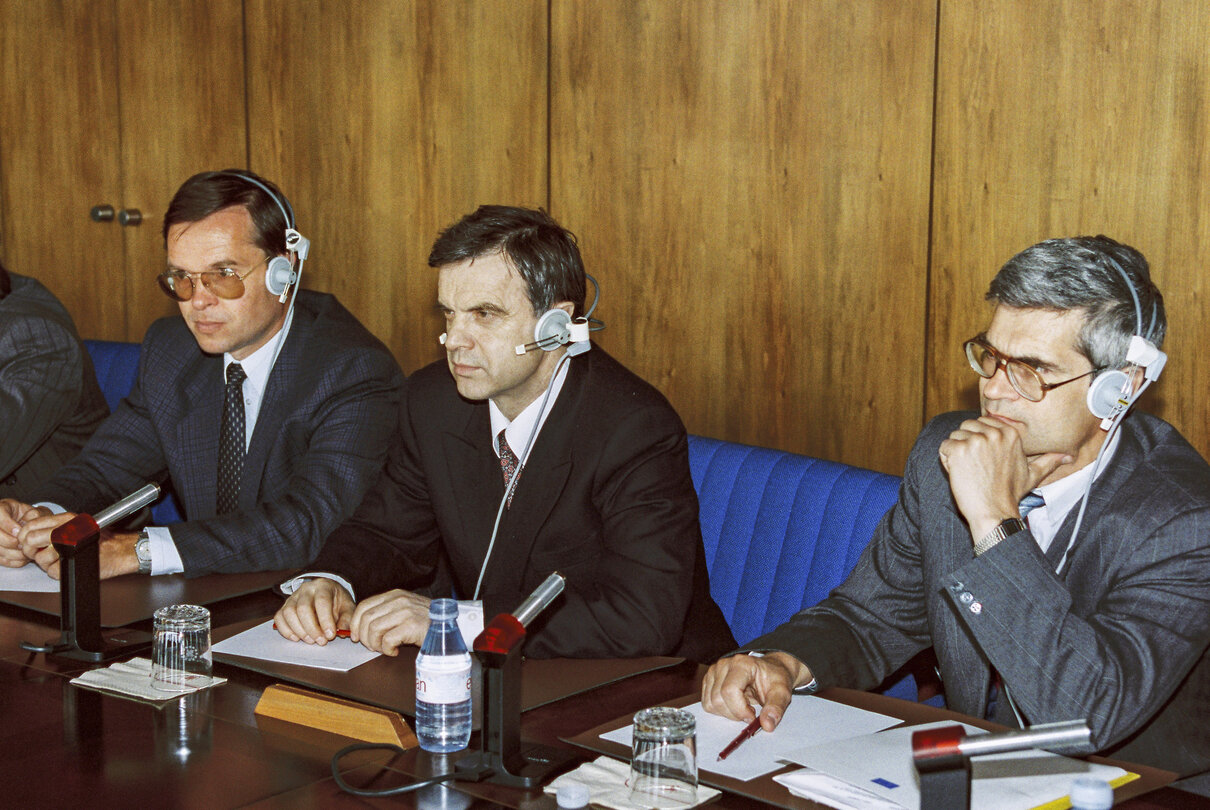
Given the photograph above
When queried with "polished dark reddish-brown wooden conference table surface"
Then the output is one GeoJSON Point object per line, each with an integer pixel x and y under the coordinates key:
{"type": "Point", "coordinates": [67, 746]}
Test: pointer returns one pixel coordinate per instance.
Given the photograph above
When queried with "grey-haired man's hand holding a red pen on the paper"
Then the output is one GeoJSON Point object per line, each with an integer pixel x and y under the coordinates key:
{"type": "Point", "coordinates": [735, 683]}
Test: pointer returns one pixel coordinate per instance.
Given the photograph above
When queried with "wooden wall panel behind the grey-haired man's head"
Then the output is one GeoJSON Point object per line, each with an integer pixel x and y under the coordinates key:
{"type": "Point", "coordinates": [1067, 118]}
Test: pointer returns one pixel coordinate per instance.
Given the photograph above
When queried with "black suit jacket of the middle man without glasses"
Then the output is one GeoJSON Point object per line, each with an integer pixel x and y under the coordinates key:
{"type": "Point", "coordinates": [606, 499]}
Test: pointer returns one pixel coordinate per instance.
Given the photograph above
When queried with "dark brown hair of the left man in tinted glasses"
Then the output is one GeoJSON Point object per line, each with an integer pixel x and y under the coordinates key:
{"type": "Point", "coordinates": [208, 193]}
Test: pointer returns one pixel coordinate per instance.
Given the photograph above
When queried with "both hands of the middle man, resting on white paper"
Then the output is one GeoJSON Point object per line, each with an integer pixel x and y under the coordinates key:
{"type": "Point", "coordinates": [383, 623]}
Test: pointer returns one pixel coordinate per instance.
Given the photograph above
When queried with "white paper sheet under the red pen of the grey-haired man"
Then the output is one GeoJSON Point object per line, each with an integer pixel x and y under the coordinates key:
{"type": "Point", "coordinates": [809, 720]}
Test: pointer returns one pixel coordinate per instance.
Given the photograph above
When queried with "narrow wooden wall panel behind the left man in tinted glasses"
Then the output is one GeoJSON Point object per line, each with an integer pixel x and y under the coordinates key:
{"type": "Point", "coordinates": [181, 73]}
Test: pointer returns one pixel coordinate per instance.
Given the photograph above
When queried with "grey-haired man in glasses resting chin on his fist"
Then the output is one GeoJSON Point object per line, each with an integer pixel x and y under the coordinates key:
{"type": "Point", "coordinates": [1051, 618]}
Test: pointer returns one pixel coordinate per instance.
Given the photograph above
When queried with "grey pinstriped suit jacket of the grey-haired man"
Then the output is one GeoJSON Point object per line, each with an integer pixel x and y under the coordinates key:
{"type": "Point", "coordinates": [1119, 639]}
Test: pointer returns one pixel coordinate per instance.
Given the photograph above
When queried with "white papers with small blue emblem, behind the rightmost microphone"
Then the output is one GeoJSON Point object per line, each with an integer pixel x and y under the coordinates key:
{"type": "Point", "coordinates": [881, 763]}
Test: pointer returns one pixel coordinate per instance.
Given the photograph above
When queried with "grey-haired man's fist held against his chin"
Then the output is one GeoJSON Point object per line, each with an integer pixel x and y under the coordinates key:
{"type": "Point", "coordinates": [990, 473]}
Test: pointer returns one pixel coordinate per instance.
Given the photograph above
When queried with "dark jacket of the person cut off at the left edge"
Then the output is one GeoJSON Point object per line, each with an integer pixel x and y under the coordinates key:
{"type": "Point", "coordinates": [50, 403]}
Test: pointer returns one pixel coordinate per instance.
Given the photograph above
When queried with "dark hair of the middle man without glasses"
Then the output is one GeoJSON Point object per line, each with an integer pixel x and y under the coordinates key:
{"type": "Point", "coordinates": [544, 252]}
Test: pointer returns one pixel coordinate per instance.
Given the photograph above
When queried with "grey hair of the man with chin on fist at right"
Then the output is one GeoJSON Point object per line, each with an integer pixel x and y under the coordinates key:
{"type": "Point", "coordinates": [1080, 273]}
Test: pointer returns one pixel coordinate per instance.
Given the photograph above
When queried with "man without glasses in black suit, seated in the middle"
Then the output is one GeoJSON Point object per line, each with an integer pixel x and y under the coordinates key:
{"type": "Point", "coordinates": [597, 459]}
